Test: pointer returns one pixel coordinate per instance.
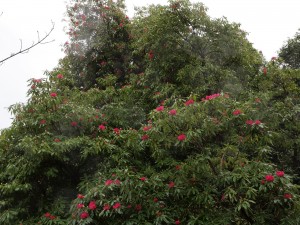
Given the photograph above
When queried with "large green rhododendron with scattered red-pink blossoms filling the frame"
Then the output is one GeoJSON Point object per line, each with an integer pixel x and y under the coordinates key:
{"type": "Point", "coordinates": [171, 117]}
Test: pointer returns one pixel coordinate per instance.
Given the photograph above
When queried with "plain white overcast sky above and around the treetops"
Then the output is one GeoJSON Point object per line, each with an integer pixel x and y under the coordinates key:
{"type": "Point", "coordinates": [268, 22]}
